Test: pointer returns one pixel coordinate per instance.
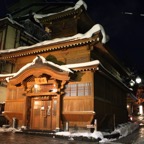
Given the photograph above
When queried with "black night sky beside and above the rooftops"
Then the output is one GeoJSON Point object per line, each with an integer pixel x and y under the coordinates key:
{"type": "Point", "coordinates": [123, 24]}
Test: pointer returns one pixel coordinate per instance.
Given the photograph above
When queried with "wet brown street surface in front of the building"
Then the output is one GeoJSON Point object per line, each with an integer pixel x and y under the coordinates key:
{"type": "Point", "coordinates": [13, 138]}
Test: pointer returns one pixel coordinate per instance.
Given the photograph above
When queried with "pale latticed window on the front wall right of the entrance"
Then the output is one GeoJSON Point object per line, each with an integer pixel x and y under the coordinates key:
{"type": "Point", "coordinates": [78, 89]}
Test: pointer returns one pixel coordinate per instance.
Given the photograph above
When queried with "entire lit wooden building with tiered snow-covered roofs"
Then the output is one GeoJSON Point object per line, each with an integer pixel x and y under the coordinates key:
{"type": "Point", "coordinates": [82, 82]}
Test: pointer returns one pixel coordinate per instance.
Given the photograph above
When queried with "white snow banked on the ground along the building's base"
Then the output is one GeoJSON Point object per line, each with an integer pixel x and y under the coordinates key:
{"type": "Point", "coordinates": [122, 129]}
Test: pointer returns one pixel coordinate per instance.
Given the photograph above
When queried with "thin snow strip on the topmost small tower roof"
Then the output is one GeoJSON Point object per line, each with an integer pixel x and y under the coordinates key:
{"type": "Point", "coordinates": [77, 5]}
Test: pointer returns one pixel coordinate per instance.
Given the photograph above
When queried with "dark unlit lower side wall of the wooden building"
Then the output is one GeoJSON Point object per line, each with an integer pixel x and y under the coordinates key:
{"type": "Point", "coordinates": [109, 102]}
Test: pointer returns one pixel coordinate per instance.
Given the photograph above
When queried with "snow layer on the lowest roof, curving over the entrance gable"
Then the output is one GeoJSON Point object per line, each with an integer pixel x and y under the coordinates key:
{"type": "Point", "coordinates": [66, 68]}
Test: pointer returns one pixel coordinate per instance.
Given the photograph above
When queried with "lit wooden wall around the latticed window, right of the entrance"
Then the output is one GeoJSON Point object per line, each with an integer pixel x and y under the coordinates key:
{"type": "Point", "coordinates": [79, 110]}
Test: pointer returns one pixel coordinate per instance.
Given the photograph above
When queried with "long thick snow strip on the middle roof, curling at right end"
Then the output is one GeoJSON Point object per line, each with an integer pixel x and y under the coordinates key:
{"type": "Point", "coordinates": [89, 34]}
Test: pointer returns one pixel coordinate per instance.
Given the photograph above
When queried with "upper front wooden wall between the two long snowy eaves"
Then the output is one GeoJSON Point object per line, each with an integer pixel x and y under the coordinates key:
{"type": "Point", "coordinates": [66, 56]}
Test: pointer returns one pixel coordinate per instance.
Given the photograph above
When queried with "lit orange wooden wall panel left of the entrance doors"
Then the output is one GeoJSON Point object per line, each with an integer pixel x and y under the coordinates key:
{"type": "Point", "coordinates": [15, 105]}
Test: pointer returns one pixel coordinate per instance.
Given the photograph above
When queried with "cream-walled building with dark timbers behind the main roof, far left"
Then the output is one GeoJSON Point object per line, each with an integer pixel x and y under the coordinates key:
{"type": "Point", "coordinates": [13, 35]}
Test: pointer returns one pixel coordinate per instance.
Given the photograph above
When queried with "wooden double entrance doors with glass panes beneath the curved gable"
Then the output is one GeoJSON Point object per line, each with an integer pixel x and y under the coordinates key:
{"type": "Point", "coordinates": [43, 113]}
